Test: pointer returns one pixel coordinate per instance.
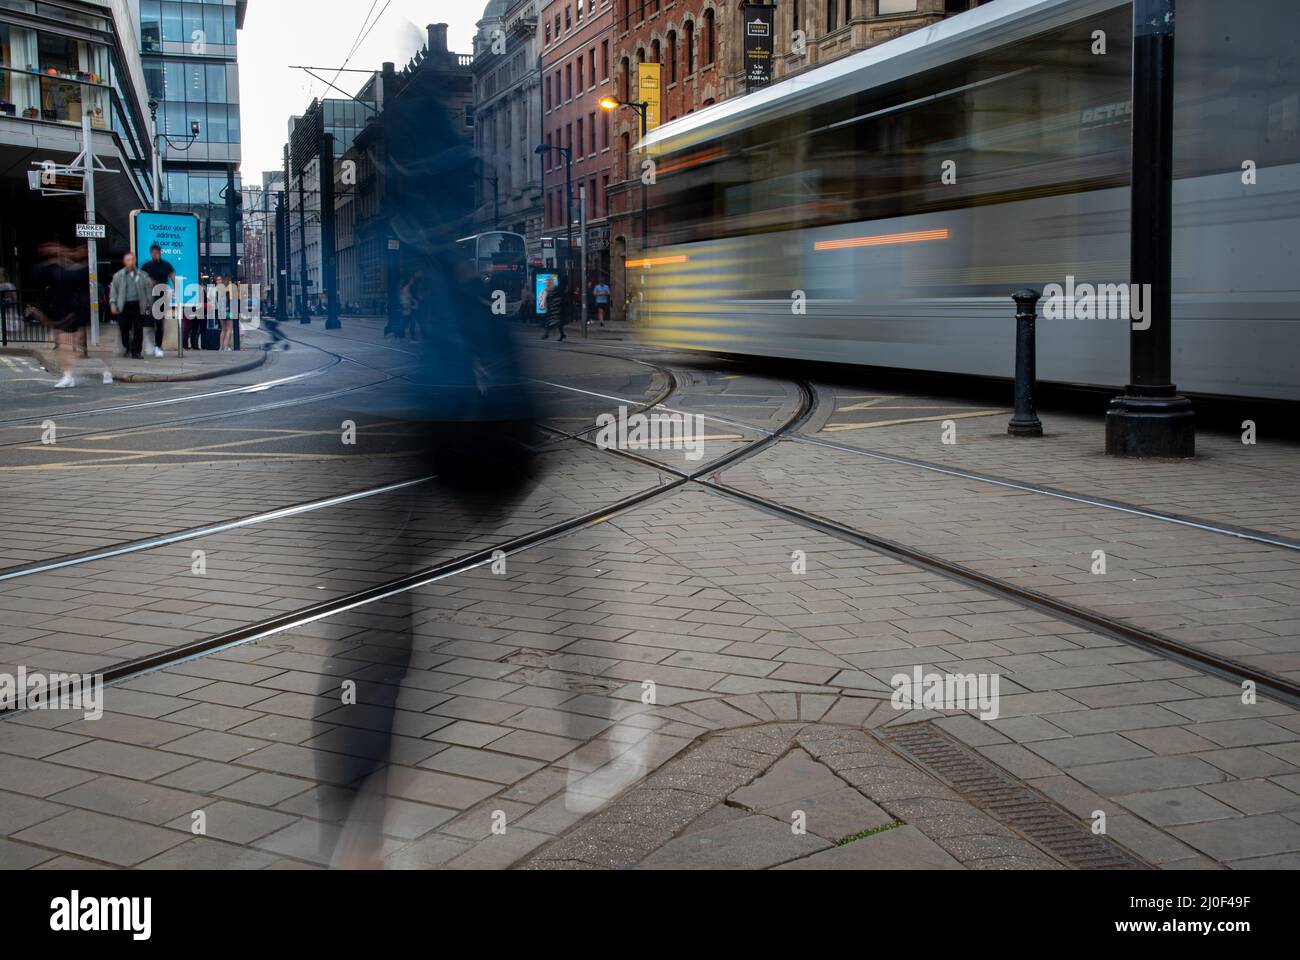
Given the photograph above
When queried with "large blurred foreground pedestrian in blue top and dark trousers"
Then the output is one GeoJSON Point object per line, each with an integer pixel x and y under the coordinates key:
{"type": "Point", "coordinates": [461, 393]}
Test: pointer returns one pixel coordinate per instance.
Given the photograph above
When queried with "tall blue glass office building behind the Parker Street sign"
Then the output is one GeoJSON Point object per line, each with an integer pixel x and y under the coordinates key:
{"type": "Point", "coordinates": [190, 55]}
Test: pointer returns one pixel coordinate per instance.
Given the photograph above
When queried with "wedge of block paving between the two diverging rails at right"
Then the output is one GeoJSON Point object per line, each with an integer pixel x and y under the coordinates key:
{"type": "Point", "coordinates": [1228, 596]}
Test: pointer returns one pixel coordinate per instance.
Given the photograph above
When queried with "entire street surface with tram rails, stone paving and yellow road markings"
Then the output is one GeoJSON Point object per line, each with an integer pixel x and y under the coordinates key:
{"type": "Point", "coordinates": [655, 672]}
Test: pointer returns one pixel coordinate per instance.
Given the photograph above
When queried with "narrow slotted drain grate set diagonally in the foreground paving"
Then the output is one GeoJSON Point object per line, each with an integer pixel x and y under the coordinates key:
{"type": "Point", "coordinates": [1009, 801]}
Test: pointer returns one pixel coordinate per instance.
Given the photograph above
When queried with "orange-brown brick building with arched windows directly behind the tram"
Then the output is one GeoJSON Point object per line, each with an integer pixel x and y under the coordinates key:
{"type": "Point", "coordinates": [699, 45]}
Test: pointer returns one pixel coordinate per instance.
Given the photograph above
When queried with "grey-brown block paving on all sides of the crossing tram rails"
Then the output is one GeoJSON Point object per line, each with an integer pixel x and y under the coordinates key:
{"type": "Point", "coordinates": [678, 685]}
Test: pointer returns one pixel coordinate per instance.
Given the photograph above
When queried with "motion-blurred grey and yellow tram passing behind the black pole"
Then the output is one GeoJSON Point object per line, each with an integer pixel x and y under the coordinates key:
{"type": "Point", "coordinates": [881, 210]}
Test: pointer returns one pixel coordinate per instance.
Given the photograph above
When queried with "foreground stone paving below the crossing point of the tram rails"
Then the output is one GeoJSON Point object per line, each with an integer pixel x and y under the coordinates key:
{"type": "Point", "coordinates": [560, 652]}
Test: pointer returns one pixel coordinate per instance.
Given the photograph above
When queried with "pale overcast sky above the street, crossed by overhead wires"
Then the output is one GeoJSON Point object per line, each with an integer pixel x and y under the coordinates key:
{"type": "Point", "coordinates": [319, 33]}
